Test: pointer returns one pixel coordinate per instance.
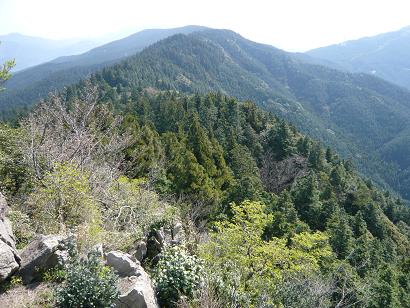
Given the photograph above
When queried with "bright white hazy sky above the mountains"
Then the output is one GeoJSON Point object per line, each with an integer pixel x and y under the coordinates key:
{"type": "Point", "coordinates": [294, 25]}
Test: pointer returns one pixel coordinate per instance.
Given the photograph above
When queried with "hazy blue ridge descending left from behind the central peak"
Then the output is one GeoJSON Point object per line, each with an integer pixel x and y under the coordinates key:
{"type": "Point", "coordinates": [33, 84]}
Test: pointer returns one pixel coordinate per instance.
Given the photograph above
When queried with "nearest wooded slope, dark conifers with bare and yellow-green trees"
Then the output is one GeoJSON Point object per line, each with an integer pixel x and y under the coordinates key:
{"type": "Point", "coordinates": [305, 230]}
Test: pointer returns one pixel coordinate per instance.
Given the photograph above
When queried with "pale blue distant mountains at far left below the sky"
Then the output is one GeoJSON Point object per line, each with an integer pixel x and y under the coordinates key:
{"type": "Point", "coordinates": [30, 51]}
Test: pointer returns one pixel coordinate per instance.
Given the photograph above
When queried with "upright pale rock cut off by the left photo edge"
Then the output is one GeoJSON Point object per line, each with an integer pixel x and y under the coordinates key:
{"type": "Point", "coordinates": [9, 258]}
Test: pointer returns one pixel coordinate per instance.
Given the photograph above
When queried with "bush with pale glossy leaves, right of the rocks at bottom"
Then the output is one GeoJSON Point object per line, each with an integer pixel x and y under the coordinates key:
{"type": "Point", "coordinates": [177, 274]}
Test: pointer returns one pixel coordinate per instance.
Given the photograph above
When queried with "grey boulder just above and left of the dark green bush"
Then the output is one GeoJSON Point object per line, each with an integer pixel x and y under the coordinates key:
{"type": "Point", "coordinates": [43, 253]}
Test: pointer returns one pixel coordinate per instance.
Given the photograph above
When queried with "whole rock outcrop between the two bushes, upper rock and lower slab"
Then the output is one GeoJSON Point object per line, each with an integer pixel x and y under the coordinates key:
{"type": "Point", "coordinates": [135, 286]}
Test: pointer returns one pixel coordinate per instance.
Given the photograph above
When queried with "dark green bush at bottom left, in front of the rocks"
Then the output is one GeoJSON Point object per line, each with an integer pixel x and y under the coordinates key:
{"type": "Point", "coordinates": [88, 284]}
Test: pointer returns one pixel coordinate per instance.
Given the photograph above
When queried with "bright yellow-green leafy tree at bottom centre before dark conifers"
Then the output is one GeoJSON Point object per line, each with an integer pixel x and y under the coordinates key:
{"type": "Point", "coordinates": [249, 266]}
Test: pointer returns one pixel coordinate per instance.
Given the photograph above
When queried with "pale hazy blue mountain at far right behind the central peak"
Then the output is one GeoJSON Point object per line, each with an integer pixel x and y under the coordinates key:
{"type": "Point", "coordinates": [385, 55]}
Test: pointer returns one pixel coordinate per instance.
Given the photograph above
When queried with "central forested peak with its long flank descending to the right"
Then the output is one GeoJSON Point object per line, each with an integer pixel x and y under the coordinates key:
{"type": "Point", "coordinates": [361, 116]}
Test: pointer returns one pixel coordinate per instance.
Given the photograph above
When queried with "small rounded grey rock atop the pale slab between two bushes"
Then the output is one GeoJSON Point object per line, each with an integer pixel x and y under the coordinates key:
{"type": "Point", "coordinates": [123, 264]}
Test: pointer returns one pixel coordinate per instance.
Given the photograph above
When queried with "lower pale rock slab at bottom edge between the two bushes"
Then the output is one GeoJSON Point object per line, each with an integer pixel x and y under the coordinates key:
{"type": "Point", "coordinates": [136, 292]}
